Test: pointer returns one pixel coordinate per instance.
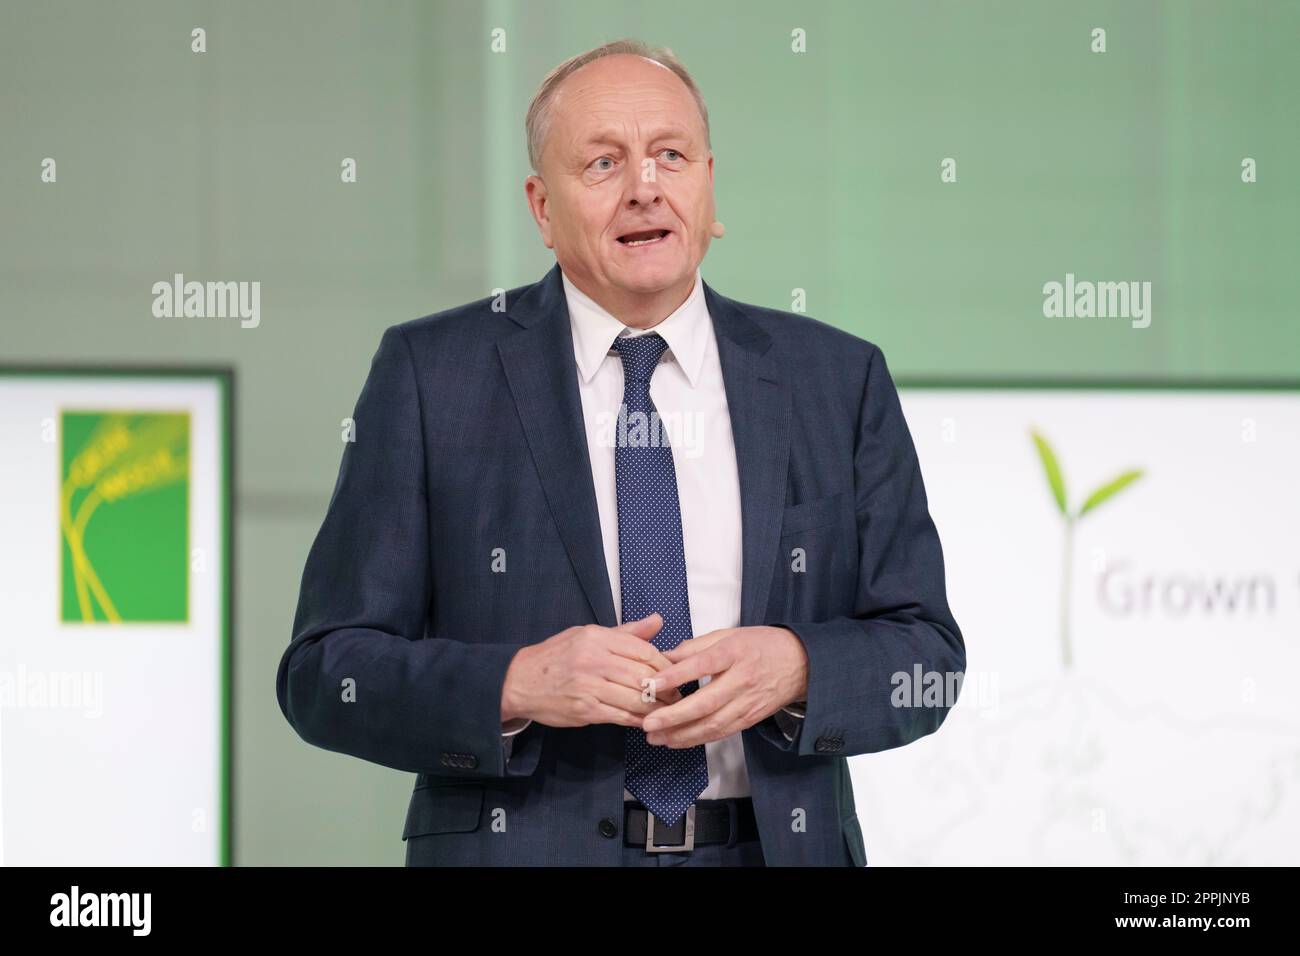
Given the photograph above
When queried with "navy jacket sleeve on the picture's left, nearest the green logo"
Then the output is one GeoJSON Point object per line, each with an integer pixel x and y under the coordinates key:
{"type": "Point", "coordinates": [361, 676]}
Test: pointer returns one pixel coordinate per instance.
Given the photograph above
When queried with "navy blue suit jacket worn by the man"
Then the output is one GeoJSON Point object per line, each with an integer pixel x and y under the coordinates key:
{"type": "Point", "coordinates": [470, 439]}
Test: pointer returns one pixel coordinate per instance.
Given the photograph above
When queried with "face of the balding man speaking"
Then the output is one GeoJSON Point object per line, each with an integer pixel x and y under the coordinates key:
{"type": "Point", "coordinates": [626, 159]}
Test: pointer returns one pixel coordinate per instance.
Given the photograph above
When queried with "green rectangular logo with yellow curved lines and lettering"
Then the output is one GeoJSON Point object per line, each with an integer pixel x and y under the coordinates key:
{"type": "Point", "coordinates": [124, 516]}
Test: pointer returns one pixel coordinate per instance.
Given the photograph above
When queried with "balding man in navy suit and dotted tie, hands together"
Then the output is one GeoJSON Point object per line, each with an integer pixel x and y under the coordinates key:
{"type": "Point", "coordinates": [621, 568]}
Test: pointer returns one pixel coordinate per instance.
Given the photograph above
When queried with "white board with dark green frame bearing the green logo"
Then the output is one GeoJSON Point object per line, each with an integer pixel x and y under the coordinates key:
{"type": "Point", "coordinates": [115, 617]}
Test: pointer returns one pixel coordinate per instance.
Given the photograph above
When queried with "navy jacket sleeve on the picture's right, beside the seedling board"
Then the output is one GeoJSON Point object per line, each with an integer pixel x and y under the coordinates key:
{"type": "Point", "coordinates": [902, 622]}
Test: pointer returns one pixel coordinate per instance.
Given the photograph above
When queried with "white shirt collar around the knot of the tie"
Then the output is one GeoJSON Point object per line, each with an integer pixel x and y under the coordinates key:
{"type": "Point", "coordinates": [595, 330]}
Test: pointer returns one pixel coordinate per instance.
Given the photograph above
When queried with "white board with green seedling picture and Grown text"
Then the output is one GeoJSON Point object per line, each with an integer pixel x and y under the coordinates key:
{"type": "Point", "coordinates": [1152, 720]}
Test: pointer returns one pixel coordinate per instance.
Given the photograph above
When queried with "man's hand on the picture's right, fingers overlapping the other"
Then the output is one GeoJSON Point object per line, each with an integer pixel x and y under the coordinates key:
{"type": "Point", "coordinates": [753, 672]}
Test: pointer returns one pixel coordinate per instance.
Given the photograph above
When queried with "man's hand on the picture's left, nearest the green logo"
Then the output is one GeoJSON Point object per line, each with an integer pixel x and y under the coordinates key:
{"type": "Point", "coordinates": [587, 676]}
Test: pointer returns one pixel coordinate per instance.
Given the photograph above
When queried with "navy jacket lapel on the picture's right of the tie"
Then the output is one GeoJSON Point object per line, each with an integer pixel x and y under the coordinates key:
{"type": "Point", "coordinates": [759, 399]}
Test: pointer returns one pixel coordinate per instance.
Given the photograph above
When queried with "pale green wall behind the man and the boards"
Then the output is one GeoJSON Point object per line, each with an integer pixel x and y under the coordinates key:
{"type": "Point", "coordinates": [226, 166]}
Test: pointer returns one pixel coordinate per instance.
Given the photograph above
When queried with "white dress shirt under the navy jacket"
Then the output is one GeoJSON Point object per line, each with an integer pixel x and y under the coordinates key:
{"type": "Point", "coordinates": [690, 395]}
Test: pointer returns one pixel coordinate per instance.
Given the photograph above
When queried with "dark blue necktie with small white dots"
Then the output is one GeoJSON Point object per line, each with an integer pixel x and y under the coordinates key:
{"type": "Point", "coordinates": [653, 572]}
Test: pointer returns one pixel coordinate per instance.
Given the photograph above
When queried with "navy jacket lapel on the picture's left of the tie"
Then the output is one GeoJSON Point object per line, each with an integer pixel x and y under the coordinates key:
{"type": "Point", "coordinates": [543, 378]}
